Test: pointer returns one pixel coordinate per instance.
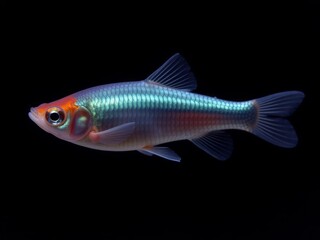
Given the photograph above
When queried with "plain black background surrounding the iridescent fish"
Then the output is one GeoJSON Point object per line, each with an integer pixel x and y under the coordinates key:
{"type": "Point", "coordinates": [51, 189]}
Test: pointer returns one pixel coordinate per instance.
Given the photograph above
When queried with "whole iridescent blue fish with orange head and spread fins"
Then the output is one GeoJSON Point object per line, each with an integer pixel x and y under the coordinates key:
{"type": "Point", "coordinates": [143, 115]}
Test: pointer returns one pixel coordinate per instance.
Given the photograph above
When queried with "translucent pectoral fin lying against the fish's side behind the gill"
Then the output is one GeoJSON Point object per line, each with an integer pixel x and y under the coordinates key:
{"type": "Point", "coordinates": [113, 136]}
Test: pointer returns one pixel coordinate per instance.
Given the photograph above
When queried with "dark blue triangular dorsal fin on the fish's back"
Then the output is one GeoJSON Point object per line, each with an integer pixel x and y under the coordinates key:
{"type": "Point", "coordinates": [174, 73]}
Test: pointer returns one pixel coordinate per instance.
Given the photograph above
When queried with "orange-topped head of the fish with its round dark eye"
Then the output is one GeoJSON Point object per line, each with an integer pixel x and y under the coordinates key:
{"type": "Point", "coordinates": [63, 118]}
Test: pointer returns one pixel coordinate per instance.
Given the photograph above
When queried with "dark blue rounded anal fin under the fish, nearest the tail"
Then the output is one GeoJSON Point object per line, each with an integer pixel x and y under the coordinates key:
{"type": "Point", "coordinates": [217, 144]}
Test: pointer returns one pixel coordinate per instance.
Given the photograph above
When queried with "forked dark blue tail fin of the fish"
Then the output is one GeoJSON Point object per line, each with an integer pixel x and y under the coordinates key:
{"type": "Point", "coordinates": [271, 124]}
